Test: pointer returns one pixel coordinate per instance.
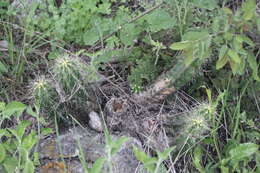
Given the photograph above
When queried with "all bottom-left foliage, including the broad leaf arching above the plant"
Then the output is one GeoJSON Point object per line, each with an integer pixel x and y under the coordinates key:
{"type": "Point", "coordinates": [17, 143]}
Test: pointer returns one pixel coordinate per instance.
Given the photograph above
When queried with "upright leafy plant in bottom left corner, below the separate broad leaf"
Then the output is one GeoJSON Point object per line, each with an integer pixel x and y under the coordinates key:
{"type": "Point", "coordinates": [15, 155]}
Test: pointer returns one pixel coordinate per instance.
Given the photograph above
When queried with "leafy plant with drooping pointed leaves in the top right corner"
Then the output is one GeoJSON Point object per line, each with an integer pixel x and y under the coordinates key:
{"type": "Point", "coordinates": [236, 48]}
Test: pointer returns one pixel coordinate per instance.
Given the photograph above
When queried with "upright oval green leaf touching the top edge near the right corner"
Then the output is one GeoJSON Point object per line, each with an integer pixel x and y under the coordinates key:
{"type": "Point", "coordinates": [249, 8]}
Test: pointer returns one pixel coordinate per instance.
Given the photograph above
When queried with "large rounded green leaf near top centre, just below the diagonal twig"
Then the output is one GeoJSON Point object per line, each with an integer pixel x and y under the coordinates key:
{"type": "Point", "coordinates": [159, 19]}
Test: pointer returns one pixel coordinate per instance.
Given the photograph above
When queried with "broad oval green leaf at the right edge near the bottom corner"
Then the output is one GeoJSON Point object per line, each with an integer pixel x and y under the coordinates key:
{"type": "Point", "coordinates": [243, 151]}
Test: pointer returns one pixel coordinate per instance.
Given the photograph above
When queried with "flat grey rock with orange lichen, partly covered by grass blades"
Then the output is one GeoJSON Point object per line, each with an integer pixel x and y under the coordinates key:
{"type": "Point", "coordinates": [93, 146]}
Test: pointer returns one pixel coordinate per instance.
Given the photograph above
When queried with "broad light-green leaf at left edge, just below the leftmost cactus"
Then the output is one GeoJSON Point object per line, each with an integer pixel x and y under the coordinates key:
{"type": "Point", "coordinates": [12, 108]}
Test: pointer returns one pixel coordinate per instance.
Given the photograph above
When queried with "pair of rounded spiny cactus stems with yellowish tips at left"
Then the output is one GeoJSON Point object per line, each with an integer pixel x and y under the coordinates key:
{"type": "Point", "coordinates": [66, 82]}
